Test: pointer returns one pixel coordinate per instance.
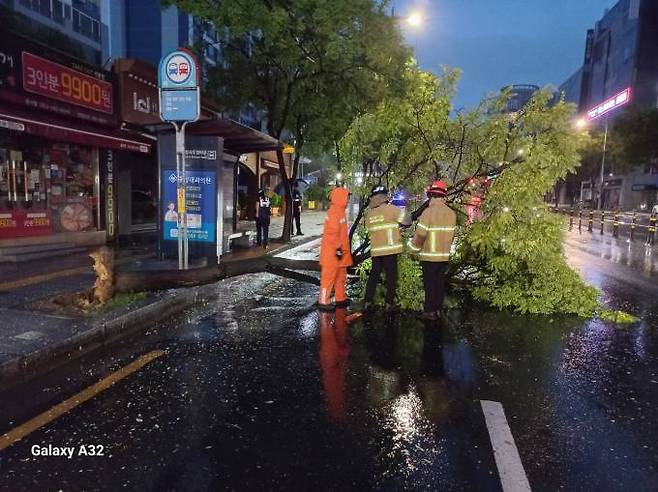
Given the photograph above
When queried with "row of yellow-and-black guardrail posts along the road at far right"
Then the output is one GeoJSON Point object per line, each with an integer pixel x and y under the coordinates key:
{"type": "Point", "coordinates": [577, 219]}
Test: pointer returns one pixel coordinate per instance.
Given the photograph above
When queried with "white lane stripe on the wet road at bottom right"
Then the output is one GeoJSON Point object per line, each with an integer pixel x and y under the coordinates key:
{"type": "Point", "coordinates": [508, 461]}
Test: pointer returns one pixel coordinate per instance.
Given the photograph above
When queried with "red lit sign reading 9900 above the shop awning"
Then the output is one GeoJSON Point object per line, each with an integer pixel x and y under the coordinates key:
{"type": "Point", "coordinates": [41, 76]}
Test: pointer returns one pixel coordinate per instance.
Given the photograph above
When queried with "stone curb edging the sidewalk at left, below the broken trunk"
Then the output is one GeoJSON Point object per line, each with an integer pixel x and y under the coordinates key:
{"type": "Point", "coordinates": [99, 334]}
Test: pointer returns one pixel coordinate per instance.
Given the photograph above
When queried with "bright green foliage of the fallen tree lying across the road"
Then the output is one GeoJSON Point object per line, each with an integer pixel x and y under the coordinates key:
{"type": "Point", "coordinates": [512, 257]}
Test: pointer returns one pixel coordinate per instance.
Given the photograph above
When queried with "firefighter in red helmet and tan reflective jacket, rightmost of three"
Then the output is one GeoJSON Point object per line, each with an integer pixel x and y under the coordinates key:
{"type": "Point", "coordinates": [431, 242]}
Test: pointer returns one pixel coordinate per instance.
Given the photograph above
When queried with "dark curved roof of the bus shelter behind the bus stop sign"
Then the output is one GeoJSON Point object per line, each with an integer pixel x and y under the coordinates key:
{"type": "Point", "coordinates": [238, 138]}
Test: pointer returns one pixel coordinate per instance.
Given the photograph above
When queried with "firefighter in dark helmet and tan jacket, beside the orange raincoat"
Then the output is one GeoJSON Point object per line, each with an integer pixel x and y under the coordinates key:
{"type": "Point", "coordinates": [383, 222]}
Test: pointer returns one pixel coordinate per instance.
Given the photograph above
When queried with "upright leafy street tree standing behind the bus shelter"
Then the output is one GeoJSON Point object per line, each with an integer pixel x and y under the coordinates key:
{"type": "Point", "coordinates": [311, 65]}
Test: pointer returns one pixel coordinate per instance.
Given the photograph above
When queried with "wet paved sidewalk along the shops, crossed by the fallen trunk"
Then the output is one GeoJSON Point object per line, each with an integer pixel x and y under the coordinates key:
{"type": "Point", "coordinates": [33, 342]}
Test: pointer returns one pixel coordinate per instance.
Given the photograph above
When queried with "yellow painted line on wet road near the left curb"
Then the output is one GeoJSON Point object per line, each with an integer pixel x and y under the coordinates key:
{"type": "Point", "coordinates": [69, 404]}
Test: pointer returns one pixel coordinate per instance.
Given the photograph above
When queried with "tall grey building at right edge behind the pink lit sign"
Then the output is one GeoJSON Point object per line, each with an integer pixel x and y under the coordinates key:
{"type": "Point", "coordinates": [620, 53]}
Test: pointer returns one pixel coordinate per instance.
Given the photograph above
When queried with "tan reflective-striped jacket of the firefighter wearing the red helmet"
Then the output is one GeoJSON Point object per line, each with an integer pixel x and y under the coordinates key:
{"type": "Point", "coordinates": [434, 232]}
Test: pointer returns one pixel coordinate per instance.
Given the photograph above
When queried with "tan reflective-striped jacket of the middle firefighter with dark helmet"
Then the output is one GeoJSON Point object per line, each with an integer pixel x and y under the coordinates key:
{"type": "Point", "coordinates": [383, 224]}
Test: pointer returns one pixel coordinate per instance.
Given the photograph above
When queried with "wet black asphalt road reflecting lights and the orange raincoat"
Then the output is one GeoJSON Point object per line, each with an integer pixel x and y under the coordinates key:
{"type": "Point", "coordinates": [257, 390]}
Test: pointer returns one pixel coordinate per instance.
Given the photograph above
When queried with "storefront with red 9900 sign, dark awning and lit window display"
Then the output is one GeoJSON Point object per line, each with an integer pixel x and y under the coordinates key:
{"type": "Point", "coordinates": [59, 144]}
